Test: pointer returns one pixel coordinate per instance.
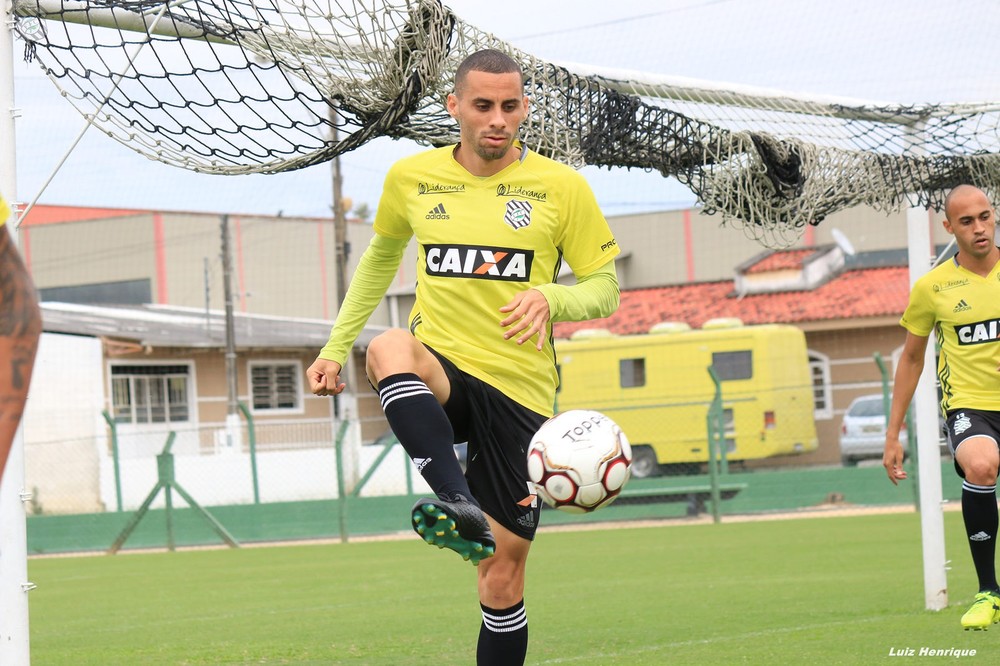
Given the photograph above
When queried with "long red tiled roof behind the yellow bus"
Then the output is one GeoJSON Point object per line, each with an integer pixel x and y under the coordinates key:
{"type": "Point", "coordinates": [872, 292]}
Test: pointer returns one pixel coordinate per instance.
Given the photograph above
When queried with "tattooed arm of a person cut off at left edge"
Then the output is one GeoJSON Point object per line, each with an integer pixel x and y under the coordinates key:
{"type": "Point", "coordinates": [20, 327]}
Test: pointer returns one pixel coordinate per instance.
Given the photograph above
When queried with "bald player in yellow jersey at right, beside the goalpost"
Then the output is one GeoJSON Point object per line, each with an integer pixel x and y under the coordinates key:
{"type": "Point", "coordinates": [960, 301]}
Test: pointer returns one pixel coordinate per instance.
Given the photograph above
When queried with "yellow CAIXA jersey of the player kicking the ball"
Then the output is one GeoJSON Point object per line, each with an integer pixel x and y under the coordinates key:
{"type": "Point", "coordinates": [481, 241]}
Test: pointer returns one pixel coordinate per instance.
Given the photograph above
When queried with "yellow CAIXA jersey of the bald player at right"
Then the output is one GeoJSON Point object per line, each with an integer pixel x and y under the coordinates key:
{"type": "Point", "coordinates": [963, 309]}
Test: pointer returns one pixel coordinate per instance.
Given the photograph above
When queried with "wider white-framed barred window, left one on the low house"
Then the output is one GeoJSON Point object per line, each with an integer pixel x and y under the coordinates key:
{"type": "Point", "coordinates": [150, 393]}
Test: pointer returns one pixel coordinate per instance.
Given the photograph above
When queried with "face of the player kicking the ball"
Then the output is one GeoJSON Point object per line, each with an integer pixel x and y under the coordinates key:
{"type": "Point", "coordinates": [489, 108]}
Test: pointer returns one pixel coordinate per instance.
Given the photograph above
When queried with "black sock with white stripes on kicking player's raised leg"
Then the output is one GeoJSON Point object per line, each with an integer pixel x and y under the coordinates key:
{"type": "Point", "coordinates": [423, 429]}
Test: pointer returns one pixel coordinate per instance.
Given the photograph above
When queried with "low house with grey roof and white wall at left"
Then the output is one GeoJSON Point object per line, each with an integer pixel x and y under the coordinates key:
{"type": "Point", "coordinates": [115, 386]}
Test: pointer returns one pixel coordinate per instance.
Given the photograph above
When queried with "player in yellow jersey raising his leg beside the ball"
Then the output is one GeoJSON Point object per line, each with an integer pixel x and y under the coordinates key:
{"type": "Point", "coordinates": [493, 222]}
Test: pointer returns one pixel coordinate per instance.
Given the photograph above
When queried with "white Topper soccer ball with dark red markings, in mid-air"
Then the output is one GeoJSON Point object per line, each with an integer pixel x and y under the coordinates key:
{"type": "Point", "coordinates": [579, 460]}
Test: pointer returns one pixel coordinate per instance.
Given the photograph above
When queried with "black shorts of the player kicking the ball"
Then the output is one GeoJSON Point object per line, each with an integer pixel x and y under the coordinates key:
{"type": "Point", "coordinates": [498, 431]}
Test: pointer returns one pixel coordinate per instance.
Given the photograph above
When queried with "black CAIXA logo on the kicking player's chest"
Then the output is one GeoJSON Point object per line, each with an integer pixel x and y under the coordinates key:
{"type": "Point", "coordinates": [481, 263]}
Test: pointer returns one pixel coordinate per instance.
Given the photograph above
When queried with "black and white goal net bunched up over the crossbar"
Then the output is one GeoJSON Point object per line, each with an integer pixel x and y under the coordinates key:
{"type": "Point", "coordinates": [236, 87]}
